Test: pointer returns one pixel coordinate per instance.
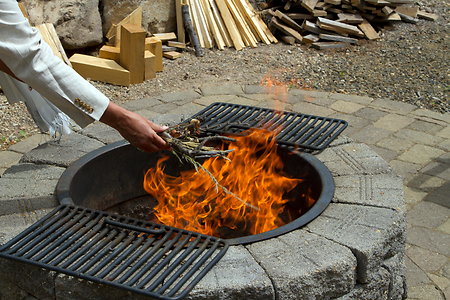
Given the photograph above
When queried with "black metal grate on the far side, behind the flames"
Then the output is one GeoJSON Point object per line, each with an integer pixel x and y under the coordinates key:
{"type": "Point", "coordinates": [296, 130]}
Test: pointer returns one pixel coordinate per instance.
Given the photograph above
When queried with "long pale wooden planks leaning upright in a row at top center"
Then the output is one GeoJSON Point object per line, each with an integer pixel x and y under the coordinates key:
{"type": "Point", "coordinates": [226, 23]}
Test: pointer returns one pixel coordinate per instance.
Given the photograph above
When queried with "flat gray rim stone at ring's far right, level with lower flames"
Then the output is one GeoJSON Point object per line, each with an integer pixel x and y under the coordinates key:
{"type": "Point", "coordinates": [381, 190]}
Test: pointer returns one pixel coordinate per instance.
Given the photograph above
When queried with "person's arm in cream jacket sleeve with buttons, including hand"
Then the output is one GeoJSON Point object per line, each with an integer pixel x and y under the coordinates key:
{"type": "Point", "coordinates": [26, 57]}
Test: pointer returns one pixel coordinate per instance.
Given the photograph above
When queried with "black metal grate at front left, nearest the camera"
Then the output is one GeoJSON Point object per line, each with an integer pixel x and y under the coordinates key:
{"type": "Point", "coordinates": [143, 257]}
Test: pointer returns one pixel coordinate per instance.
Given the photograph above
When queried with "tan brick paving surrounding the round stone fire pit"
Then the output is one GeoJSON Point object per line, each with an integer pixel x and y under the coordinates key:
{"type": "Point", "coordinates": [415, 142]}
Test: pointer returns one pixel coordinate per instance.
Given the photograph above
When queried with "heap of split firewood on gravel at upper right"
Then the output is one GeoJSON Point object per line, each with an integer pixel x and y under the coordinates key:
{"type": "Point", "coordinates": [337, 23]}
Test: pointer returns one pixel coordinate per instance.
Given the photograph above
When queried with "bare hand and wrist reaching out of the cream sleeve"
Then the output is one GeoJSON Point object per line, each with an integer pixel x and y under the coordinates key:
{"type": "Point", "coordinates": [136, 129]}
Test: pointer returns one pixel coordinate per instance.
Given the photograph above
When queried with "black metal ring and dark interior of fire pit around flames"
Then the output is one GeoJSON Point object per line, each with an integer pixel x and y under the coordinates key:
{"type": "Point", "coordinates": [111, 179]}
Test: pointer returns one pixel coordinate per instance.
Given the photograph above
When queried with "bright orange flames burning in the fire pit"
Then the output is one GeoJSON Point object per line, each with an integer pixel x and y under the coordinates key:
{"type": "Point", "coordinates": [248, 196]}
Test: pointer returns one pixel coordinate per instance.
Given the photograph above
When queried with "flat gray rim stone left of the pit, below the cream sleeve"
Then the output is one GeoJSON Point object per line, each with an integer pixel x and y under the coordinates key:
{"type": "Point", "coordinates": [70, 148]}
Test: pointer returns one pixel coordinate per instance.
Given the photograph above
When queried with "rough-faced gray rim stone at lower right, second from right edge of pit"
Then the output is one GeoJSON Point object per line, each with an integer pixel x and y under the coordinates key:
{"type": "Point", "coordinates": [371, 233]}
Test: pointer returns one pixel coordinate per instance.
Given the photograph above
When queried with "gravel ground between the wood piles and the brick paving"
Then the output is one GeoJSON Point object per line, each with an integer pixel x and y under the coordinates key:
{"type": "Point", "coordinates": [410, 63]}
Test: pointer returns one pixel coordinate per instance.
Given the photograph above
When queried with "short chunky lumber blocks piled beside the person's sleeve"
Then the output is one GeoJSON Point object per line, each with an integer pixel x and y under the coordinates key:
{"type": "Point", "coordinates": [131, 55]}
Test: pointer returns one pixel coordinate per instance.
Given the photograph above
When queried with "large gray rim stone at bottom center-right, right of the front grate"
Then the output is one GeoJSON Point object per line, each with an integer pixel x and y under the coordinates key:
{"type": "Point", "coordinates": [305, 266]}
